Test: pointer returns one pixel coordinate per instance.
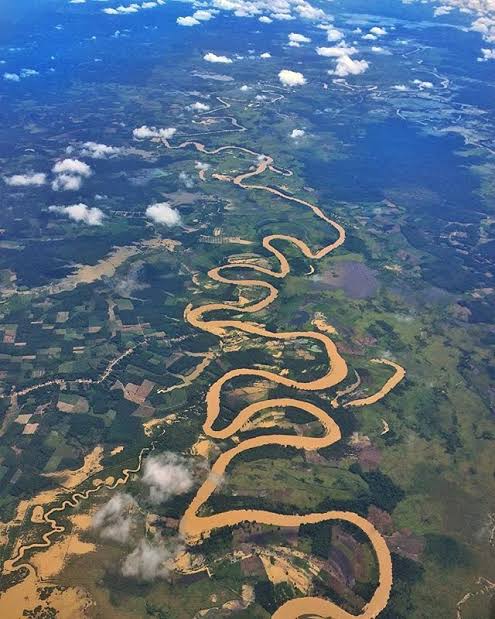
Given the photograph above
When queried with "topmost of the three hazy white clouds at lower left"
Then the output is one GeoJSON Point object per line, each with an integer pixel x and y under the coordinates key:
{"type": "Point", "coordinates": [167, 475]}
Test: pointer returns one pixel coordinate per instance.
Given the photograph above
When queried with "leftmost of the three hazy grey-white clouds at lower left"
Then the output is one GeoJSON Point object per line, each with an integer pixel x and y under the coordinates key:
{"type": "Point", "coordinates": [114, 520]}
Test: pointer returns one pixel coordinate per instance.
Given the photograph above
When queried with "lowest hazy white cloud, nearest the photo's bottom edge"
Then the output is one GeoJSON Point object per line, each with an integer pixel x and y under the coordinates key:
{"type": "Point", "coordinates": [149, 561]}
